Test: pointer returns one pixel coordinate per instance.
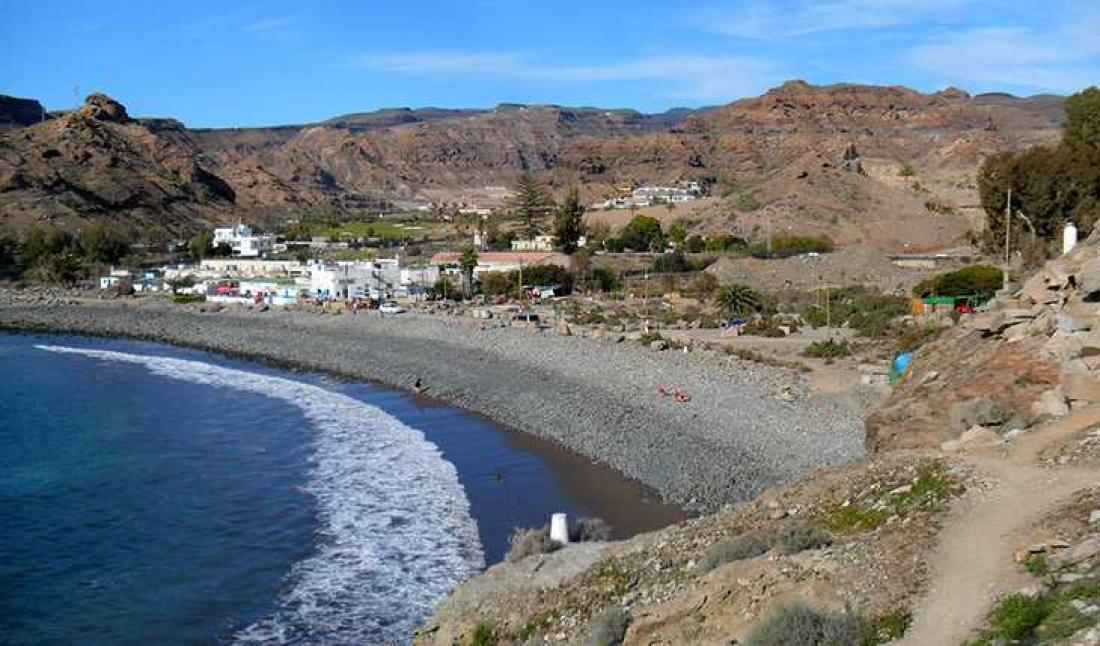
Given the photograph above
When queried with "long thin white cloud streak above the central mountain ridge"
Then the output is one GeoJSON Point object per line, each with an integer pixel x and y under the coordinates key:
{"type": "Point", "coordinates": [681, 76]}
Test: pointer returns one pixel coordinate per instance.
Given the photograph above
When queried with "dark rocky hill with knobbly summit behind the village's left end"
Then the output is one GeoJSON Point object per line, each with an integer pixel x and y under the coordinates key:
{"type": "Point", "coordinates": [98, 163]}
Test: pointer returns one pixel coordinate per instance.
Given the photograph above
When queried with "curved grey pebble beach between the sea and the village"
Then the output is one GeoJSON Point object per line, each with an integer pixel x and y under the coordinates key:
{"type": "Point", "coordinates": [596, 399]}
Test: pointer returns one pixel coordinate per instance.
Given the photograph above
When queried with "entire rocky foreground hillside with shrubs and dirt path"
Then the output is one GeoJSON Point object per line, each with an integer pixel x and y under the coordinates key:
{"type": "Point", "coordinates": [976, 520]}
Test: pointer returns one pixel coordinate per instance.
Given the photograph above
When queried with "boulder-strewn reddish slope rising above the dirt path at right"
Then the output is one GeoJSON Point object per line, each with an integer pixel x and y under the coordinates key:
{"type": "Point", "coordinates": [1033, 357]}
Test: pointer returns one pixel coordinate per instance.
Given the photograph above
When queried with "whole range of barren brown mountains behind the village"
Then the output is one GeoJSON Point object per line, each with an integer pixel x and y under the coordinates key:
{"type": "Point", "coordinates": [777, 160]}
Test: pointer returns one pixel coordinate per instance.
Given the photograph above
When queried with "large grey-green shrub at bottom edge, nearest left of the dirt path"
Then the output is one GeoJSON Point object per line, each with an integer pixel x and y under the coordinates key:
{"type": "Point", "coordinates": [799, 626]}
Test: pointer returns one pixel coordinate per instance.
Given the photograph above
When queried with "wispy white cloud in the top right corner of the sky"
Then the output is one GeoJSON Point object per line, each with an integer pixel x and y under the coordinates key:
{"type": "Point", "coordinates": [1064, 57]}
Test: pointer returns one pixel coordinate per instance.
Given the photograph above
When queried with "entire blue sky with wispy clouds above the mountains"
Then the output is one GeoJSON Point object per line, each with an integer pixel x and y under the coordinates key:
{"type": "Point", "coordinates": [217, 63]}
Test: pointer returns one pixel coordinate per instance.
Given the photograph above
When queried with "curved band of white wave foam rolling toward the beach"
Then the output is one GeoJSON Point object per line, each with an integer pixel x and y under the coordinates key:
{"type": "Point", "coordinates": [397, 534]}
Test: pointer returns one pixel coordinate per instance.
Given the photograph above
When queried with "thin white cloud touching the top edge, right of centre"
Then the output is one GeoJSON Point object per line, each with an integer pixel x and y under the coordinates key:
{"type": "Point", "coordinates": [765, 21]}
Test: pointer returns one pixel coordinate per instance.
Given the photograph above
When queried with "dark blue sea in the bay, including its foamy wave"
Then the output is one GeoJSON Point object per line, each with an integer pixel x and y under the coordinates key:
{"type": "Point", "coordinates": [157, 496]}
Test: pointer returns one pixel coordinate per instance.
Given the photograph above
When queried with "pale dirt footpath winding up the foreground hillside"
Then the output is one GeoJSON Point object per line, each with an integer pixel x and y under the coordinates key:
{"type": "Point", "coordinates": [974, 562]}
